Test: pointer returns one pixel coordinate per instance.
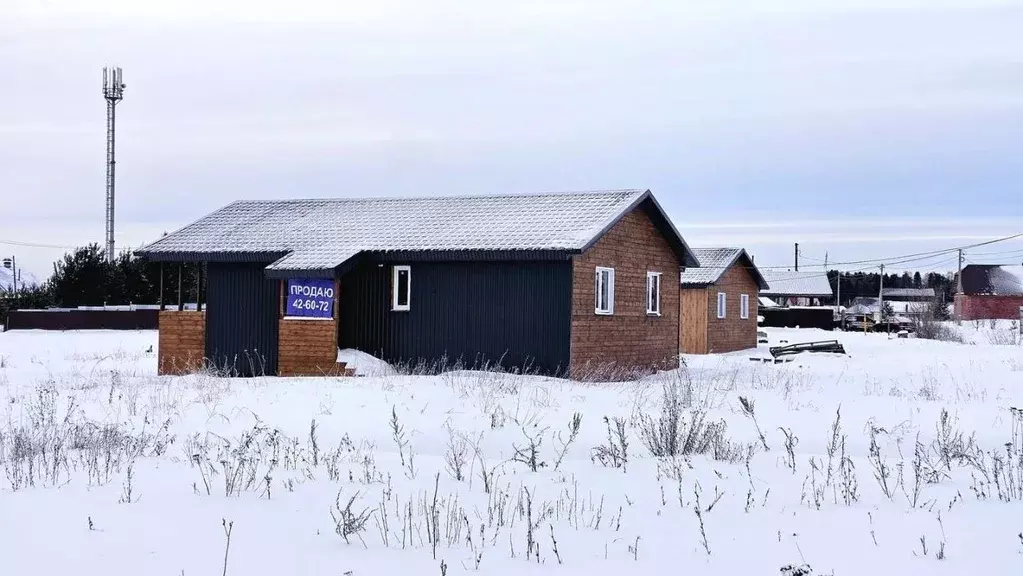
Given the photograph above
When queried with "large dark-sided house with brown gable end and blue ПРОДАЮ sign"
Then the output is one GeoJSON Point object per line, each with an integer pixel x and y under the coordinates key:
{"type": "Point", "coordinates": [563, 284]}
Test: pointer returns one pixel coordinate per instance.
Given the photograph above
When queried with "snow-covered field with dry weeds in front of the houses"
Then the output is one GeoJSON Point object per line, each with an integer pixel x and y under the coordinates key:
{"type": "Point", "coordinates": [903, 458]}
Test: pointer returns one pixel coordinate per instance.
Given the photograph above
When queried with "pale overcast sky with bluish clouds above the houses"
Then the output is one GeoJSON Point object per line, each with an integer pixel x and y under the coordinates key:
{"type": "Point", "coordinates": [860, 129]}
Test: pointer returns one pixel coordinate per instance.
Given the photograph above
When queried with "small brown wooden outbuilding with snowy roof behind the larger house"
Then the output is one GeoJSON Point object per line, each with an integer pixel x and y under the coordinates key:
{"type": "Point", "coordinates": [720, 302]}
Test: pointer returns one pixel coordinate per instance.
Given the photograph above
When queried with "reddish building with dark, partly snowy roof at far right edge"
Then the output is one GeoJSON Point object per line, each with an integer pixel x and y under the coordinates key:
{"type": "Point", "coordinates": [989, 292]}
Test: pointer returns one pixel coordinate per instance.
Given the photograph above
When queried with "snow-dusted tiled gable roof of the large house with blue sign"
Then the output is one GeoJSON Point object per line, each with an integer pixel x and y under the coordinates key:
{"type": "Point", "coordinates": [306, 236]}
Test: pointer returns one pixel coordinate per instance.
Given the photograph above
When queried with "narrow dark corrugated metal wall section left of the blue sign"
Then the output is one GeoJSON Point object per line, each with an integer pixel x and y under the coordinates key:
{"type": "Point", "coordinates": [242, 320]}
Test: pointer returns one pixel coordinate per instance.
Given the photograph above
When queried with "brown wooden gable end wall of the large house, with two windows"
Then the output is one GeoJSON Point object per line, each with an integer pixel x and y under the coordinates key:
{"type": "Point", "coordinates": [631, 339]}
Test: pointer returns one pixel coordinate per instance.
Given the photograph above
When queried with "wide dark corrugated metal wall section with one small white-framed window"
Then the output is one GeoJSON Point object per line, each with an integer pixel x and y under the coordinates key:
{"type": "Point", "coordinates": [515, 314]}
